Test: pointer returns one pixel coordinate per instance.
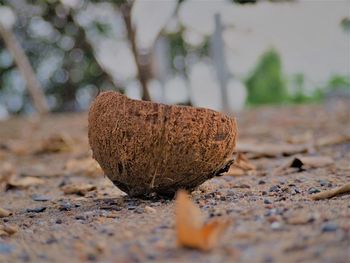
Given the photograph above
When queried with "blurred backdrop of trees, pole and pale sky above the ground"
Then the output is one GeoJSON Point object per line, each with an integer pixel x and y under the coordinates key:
{"type": "Point", "coordinates": [222, 54]}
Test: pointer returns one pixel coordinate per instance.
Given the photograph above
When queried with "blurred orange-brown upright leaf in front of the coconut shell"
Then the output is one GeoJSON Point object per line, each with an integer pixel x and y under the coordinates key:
{"type": "Point", "coordinates": [191, 230]}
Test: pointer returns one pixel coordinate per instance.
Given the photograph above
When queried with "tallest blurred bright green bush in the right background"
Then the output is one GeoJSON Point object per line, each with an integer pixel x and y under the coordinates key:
{"type": "Point", "coordinates": [267, 84]}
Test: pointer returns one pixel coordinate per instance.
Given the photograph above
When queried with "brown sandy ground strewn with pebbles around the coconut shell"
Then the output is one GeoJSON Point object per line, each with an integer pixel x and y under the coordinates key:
{"type": "Point", "coordinates": [274, 218]}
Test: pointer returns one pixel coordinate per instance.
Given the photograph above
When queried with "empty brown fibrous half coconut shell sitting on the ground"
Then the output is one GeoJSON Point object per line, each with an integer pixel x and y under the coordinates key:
{"type": "Point", "coordinates": [146, 147]}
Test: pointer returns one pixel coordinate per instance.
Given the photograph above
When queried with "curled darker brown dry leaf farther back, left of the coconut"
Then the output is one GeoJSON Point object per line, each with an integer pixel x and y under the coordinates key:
{"type": "Point", "coordinates": [54, 144]}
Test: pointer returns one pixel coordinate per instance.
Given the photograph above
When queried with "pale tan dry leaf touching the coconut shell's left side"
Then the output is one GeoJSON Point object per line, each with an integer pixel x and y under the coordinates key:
{"type": "Point", "coordinates": [86, 166]}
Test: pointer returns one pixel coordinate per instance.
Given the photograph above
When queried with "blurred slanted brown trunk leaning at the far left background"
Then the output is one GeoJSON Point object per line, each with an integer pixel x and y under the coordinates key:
{"type": "Point", "coordinates": [26, 70]}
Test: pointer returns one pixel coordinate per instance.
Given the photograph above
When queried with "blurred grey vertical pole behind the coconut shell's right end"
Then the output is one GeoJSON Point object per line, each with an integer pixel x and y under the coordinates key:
{"type": "Point", "coordinates": [218, 53]}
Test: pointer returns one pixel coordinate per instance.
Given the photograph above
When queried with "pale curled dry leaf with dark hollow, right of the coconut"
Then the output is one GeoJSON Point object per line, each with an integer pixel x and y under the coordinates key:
{"type": "Point", "coordinates": [304, 162]}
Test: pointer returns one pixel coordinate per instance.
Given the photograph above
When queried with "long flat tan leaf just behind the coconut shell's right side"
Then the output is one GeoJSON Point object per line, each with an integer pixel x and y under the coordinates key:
{"type": "Point", "coordinates": [271, 150]}
